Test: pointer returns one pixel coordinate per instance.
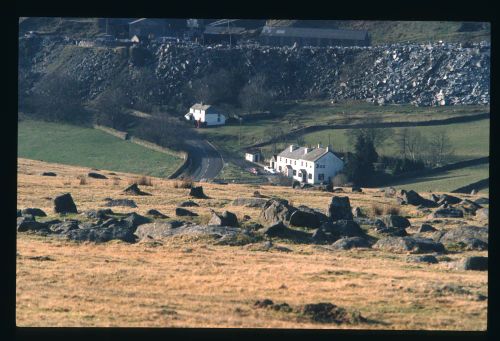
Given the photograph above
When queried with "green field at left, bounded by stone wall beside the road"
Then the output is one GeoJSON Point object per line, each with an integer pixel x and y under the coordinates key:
{"type": "Point", "coordinates": [79, 146]}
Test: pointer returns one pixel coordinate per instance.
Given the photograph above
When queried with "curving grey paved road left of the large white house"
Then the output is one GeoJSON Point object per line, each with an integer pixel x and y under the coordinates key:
{"type": "Point", "coordinates": [204, 161]}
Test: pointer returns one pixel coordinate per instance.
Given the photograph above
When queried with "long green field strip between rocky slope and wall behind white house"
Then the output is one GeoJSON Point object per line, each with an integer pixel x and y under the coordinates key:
{"type": "Point", "coordinates": [290, 115]}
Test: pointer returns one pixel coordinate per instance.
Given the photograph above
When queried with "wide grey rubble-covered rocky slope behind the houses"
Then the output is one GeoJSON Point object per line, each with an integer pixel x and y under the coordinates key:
{"type": "Point", "coordinates": [420, 74]}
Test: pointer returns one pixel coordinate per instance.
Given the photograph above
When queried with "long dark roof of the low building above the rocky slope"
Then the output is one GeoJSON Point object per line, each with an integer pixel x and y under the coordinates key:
{"type": "Point", "coordinates": [314, 33]}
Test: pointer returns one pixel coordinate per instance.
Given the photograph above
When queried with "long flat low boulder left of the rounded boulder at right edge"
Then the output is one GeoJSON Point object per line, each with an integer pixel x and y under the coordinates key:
{"type": "Point", "coordinates": [408, 245]}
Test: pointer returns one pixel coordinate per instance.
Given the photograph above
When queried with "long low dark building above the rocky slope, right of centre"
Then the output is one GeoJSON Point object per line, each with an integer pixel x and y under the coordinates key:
{"type": "Point", "coordinates": [283, 36]}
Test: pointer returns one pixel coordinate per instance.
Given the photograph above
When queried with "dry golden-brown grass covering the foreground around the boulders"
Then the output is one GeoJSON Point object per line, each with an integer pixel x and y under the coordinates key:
{"type": "Point", "coordinates": [190, 283]}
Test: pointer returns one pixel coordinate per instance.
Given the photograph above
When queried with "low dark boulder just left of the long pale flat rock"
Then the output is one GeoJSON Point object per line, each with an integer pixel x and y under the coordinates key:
{"type": "Point", "coordinates": [102, 234]}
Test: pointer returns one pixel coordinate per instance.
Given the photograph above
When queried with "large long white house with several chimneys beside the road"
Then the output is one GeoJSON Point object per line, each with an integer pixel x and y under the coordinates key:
{"type": "Point", "coordinates": [310, 165]}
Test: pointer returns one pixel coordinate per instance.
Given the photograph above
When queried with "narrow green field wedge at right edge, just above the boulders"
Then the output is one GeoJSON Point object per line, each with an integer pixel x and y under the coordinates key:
{"type": "Point", "coordinates": [446, 181]}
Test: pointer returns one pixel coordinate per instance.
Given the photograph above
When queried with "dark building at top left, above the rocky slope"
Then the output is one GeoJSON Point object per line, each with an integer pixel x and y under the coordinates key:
{"type": "Point", "coordinates": [155, 28]}
